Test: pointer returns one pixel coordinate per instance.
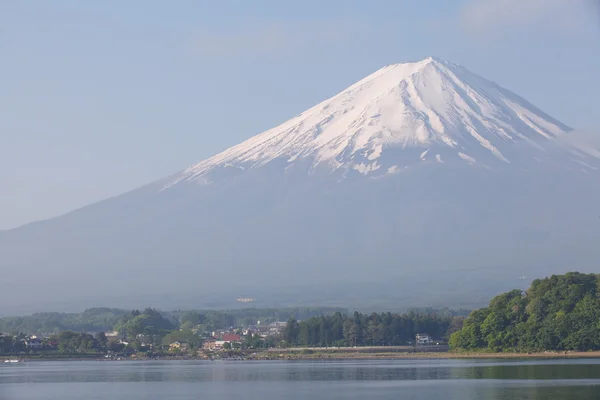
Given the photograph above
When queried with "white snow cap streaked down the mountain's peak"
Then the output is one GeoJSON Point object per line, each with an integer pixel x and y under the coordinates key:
{"type": "Point", "coordinates": [421, 105]}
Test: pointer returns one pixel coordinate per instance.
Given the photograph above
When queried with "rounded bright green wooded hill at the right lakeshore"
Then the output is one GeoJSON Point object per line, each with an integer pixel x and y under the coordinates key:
{"type": "Point", "coordinates": [561, 312]}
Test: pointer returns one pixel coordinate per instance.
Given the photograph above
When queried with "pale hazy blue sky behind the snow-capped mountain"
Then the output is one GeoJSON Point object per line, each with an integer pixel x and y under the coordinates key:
{"type": "Point", "coordinates": [101, 97]}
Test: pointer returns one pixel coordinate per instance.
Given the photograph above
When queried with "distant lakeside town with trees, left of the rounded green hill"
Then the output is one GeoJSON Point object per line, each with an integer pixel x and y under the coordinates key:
{"type": "Point", "coordinates": [188, 335]}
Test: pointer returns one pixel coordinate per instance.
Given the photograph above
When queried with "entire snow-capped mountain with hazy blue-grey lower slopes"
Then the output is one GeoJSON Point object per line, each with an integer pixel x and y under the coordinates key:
{"type": "Point", "coordinates": [422, 184]}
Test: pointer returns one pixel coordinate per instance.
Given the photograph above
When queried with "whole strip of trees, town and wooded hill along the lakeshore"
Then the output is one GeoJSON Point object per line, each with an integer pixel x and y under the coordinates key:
{"type": "Point", "coordinates": [556, 315]}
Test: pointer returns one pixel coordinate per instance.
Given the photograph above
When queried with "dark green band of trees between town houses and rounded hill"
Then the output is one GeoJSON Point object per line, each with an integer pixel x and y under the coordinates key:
{"type": "Point", "coordinates": [384, 329]}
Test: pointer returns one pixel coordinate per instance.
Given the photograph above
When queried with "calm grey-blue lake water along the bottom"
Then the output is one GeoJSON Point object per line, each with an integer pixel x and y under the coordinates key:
{"type": "Point", "coordinates": [402, 379]}
